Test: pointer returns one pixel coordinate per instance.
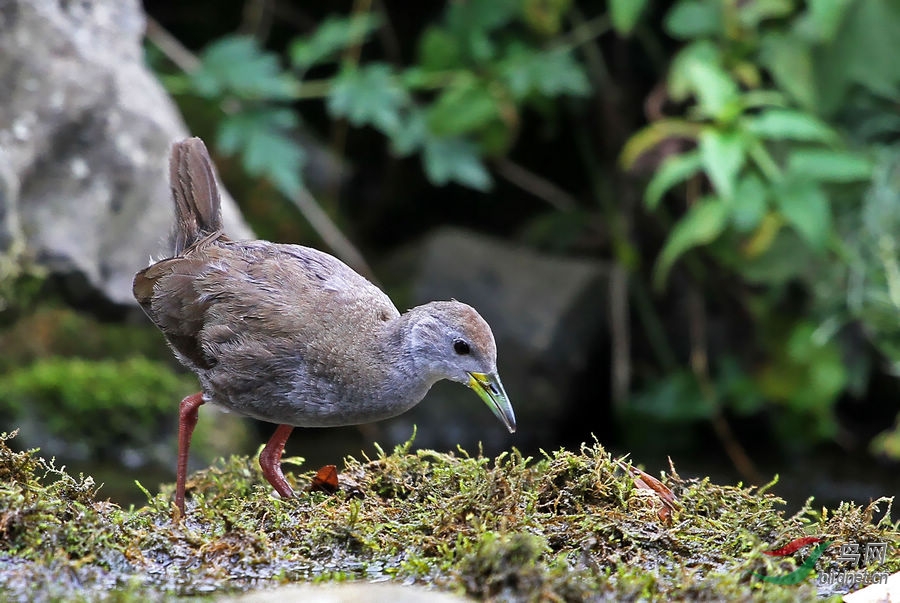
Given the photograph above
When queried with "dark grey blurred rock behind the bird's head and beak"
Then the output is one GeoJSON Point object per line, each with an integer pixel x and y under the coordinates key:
{"type": "Point", "coordinates": [548, 315]}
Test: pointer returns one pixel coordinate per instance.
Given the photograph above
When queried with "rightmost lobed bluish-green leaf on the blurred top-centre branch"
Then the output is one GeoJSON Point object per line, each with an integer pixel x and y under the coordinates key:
{"type": "Point", "coordinates": [549, 73]}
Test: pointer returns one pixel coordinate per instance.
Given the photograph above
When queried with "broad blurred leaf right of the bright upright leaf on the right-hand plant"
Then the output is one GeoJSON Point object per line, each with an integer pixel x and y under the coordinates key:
{"type": "Point", "coordinates": [789, 60]}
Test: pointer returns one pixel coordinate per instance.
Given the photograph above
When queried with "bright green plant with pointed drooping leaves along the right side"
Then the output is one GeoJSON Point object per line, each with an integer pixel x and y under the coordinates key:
{"type": "Point", "coordinates": [774, 188]}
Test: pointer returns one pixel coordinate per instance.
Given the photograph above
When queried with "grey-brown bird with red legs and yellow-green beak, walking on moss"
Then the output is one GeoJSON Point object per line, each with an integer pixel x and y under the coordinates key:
{"type": "Point", "coordinates": [291, 335]}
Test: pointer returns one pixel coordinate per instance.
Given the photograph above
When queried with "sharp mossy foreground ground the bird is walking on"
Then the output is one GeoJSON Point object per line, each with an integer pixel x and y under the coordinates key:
{"type": "Point", "coordinates": [567, 526]}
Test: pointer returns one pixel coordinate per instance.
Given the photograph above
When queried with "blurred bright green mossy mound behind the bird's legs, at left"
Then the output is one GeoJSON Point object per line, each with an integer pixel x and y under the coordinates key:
{"type": "Point", "coordinates": [71, 401]}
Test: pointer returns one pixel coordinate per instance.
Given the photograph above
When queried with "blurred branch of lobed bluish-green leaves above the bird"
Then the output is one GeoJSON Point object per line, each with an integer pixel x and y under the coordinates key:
{"type": "Point", "coordinates": [456, 107]}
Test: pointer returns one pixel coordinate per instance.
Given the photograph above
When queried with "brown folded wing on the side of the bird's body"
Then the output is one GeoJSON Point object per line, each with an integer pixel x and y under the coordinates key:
{"type": "Point", "coordinates": [256, 295]}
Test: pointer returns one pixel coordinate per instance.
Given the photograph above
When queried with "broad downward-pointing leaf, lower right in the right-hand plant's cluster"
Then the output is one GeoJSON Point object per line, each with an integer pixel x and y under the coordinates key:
{"type": "Point", "coordinates": [805, 207]}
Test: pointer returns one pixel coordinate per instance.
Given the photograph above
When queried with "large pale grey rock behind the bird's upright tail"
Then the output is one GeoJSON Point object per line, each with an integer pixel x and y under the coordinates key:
{"type": "Point", "coordinates": [85, 131]}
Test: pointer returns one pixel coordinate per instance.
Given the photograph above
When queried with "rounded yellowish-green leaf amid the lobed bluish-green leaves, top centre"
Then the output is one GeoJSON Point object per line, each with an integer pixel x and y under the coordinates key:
{"type": "Point", "coordinates": [464, 106]}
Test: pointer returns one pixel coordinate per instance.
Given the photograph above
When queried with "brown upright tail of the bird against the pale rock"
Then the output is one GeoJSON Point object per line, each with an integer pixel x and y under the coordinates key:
{"type": "Point", "coordinates": [198, 209]}
